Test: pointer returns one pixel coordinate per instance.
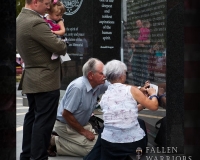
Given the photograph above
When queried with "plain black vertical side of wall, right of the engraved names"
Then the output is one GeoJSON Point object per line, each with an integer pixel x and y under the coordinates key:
{"type": "Point", "coordinates": [175, 74]}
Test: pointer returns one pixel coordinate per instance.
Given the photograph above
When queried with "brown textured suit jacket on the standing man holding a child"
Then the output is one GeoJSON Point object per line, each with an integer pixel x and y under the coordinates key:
{"type": "Point", "coordinates": [35, 44]}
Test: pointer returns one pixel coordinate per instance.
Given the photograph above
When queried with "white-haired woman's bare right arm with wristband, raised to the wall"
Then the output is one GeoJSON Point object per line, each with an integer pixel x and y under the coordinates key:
{"type": "Point", "coordinates": [151, 104]}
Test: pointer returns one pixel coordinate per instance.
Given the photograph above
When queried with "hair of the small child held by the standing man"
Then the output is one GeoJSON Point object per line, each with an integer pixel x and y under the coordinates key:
{"type": "Point", "coordinates": [57, 6]}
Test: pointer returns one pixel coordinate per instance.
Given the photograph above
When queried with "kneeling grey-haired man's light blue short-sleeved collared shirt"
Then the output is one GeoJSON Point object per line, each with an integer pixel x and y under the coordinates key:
{"type": "Point", "coordinates": [80, 99]}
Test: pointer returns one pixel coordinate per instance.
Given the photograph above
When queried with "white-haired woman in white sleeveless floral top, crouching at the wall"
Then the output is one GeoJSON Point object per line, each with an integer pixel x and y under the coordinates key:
{"type": "Point", "coordinates": [122, 133]}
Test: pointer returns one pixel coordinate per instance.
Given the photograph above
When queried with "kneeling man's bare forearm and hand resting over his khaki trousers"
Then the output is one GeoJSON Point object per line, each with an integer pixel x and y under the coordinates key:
{"type": "Point", "coordinates": [71, 120]}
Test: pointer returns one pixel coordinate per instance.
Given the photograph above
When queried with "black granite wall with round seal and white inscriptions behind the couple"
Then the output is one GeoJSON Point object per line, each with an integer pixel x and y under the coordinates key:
{"type": "Point", "coordinates": [93, 29]}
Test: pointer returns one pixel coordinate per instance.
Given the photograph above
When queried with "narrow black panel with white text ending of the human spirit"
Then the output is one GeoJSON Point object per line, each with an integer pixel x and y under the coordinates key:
{"type": "Point", "coordinates": [107, 29]}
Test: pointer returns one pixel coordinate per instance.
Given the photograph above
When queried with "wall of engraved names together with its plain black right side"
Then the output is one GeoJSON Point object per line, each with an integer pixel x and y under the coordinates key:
{"type": "Point", "coordinates": [159, 57]}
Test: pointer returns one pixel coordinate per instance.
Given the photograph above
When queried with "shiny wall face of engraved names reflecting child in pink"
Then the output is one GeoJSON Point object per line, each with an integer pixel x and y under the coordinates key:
{"type": "Point", "coordinates": [144, 39]}
